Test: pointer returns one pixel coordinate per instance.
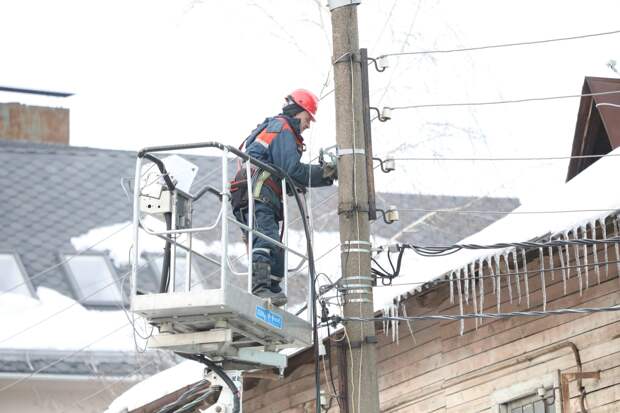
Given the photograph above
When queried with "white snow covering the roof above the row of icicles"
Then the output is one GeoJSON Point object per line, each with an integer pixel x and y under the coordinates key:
{"type": "Point", "coordinates": [589, 195]}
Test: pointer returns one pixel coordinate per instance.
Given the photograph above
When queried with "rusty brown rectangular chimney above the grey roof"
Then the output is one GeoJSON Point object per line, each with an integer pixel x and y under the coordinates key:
{"type": "Point", "coordinates": [34, 123]}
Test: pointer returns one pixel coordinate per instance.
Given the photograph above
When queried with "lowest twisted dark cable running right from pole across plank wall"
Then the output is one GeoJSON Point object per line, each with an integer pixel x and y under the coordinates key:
{"type": "Point", "coordinates": [457, 317]}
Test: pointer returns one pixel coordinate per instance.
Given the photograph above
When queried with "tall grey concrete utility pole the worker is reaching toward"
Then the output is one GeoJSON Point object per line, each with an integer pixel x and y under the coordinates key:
{"type": "Point", "coordinates": [362, 387]}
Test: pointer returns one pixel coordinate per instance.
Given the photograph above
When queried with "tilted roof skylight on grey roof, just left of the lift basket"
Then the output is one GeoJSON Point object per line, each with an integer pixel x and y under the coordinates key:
{"type": "Point", "coordinates": [93, 279]}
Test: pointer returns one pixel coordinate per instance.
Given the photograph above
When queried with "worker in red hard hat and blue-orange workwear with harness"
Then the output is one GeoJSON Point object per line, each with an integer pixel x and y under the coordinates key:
{"type": "Point", "coordinates": [277, 141]}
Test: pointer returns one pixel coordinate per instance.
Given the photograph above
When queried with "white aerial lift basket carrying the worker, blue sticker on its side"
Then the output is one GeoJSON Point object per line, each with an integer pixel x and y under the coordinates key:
{"type": "Point", "coordinates": [227, 324]}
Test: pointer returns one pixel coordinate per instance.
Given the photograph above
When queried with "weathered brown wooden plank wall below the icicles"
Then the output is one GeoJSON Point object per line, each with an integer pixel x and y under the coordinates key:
{"type": "Point", "coordinates": [439, 370]}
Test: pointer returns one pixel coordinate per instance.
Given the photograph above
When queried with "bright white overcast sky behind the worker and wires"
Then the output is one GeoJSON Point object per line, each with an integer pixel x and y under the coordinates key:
{"type": "Point", "coordinates": [159, 72]}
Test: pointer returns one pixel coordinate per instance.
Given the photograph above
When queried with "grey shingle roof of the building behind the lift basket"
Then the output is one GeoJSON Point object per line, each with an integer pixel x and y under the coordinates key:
{"type": "Point", "coordinates": [54, 192]}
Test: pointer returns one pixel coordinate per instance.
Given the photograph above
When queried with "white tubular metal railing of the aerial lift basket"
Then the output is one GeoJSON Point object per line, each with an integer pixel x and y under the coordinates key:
{"type": "Point", "coordinates": [223, 219]}
